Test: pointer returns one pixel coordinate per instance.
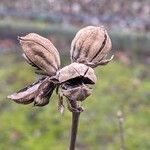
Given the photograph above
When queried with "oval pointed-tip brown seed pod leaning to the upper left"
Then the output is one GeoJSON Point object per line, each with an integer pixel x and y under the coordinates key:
{"type": "Point", "coordinates": [41, 52]}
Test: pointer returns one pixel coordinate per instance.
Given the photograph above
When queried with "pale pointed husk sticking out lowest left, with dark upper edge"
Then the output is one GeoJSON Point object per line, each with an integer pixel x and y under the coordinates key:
{"type": "Point", "coordinates": [27, 94]}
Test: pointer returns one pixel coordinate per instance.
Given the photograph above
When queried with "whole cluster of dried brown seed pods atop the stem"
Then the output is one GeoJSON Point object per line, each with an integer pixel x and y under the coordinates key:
{"type": "Point", "coordinates": [89, 49]}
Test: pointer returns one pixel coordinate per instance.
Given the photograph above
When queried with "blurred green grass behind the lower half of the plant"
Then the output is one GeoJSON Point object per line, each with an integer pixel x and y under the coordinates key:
{"type": "Point", "coordinates": [119, 87]}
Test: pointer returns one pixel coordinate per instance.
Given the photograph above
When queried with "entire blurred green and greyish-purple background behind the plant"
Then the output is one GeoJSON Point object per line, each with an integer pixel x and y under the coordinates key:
{"type": "Point", "coordinates": [123, 85]}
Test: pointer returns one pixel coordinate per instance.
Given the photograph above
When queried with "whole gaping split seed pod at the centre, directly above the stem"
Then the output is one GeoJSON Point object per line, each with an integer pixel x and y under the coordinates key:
{"type": "Point", "coordinates": [75, 79]}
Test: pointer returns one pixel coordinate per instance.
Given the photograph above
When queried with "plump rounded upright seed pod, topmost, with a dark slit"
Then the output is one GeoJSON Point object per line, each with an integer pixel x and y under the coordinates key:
{"type": "Point", "coordinates": [90, 46]}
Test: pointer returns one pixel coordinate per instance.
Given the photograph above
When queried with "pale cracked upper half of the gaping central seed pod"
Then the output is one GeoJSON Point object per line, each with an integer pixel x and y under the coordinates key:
{"type": "Point", "coordinates": [78, 72]}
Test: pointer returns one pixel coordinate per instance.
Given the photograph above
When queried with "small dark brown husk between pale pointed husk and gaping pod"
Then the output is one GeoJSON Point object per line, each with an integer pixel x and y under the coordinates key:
{"type": "Point", "coordinates": [44, 92]}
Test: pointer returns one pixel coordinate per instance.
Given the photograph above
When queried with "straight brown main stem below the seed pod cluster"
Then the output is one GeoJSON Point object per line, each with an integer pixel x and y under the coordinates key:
{"type": "Point", "coordinates": [74, 129]}
